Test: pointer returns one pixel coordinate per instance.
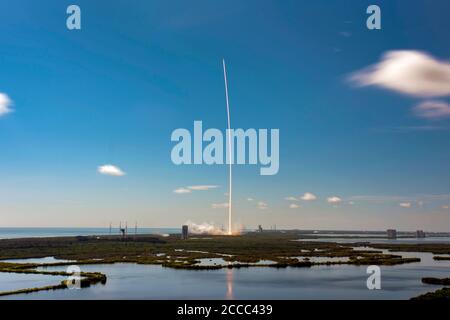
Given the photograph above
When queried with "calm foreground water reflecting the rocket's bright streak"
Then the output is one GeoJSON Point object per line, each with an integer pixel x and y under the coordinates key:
{"type": "Point", "coordinates": [132, 281]}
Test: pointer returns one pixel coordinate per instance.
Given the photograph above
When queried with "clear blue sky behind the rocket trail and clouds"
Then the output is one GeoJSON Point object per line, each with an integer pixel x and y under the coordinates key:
{"type": "Point", "coordinates": [112, 93]}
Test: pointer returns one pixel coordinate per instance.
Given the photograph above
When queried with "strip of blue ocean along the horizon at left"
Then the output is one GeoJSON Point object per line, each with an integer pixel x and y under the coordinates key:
{"type": "Point", "coordinates": [10, 233]}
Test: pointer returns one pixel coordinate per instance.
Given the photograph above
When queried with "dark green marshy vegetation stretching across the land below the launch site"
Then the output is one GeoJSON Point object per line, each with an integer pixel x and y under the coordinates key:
{"type": "Point", "coordinates": [281, 249]}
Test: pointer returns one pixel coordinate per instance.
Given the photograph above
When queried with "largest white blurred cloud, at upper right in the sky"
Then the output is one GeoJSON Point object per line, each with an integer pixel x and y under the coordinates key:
{"type": "Point", "coordinates": [409, 72]}
